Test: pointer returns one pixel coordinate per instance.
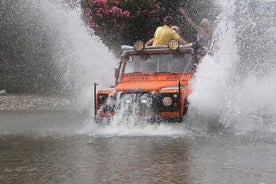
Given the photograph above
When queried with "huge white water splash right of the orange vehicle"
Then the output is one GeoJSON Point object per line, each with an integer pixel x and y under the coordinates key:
{"type": "Point", "coordinates": [236, 87]}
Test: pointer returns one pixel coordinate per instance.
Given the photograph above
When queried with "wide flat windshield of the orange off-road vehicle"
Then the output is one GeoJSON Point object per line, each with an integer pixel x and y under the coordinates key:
{"type": "Point", "coordinates": [148, 64]}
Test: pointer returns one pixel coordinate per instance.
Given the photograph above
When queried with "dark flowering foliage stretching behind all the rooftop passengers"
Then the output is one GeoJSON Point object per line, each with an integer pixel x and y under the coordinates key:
{"type": "Point", "coordinates": [119, 22]}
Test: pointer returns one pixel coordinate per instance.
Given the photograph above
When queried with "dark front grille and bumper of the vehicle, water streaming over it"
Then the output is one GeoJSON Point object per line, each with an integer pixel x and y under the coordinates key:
{"type": "Point", "coordinates": [142, 104]}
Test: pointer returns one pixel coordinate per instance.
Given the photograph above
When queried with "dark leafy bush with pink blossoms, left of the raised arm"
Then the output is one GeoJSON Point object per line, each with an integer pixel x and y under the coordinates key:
{"type": "Point", "coordinates": [123, 21]}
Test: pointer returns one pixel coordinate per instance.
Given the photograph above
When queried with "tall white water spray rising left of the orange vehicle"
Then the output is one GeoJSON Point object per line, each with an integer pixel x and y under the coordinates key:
{"type": "Point", "coordinates": [79, 55]}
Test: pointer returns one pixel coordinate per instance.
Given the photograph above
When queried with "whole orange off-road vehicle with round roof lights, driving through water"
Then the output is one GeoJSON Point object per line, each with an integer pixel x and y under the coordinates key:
{"type": "Point", "coordinates": [151, 82]}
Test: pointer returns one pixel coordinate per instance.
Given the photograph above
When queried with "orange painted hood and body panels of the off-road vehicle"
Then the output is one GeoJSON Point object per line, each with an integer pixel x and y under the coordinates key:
{"type": "Point", "coordinates": [155, 83]}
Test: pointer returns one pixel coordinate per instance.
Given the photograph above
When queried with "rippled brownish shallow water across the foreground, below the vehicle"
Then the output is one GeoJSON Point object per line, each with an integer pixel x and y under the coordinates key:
{"type": "Point", "coordinates": [62, 147]}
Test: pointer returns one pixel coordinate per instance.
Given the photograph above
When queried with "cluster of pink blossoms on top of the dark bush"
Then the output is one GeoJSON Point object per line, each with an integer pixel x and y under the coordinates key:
{"type": "Point", "coordinates": [108, 13]}
